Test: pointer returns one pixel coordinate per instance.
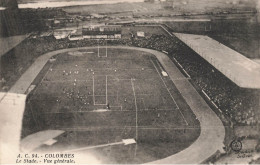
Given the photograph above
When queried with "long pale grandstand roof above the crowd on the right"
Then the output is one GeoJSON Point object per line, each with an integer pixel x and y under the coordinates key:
{"type": "Point", "coordinates": [239, 69]}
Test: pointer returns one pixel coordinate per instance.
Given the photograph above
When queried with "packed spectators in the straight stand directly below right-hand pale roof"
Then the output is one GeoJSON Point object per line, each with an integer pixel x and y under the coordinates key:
{"type": "Point", "coordinates": [239, 104]}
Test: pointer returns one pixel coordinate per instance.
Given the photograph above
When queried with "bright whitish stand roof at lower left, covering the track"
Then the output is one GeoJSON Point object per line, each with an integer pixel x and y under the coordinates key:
{"type": "Point", "coordinates": [11, 108]}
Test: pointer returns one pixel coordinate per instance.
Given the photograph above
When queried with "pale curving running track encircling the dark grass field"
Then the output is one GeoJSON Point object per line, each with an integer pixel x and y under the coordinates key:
{"type": "Point", "coordinates": [212, 130]}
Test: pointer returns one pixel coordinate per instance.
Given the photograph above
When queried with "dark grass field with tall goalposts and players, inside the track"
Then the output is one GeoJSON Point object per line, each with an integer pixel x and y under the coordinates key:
{"type": "Point", "coordinates": [102, 96]}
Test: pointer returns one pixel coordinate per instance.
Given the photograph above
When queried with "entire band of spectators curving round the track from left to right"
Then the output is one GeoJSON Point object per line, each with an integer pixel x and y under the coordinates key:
{"type": "Point", "coordinates": [236, 103]}
